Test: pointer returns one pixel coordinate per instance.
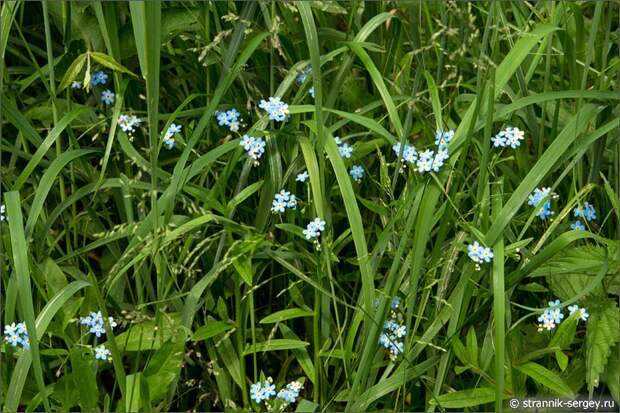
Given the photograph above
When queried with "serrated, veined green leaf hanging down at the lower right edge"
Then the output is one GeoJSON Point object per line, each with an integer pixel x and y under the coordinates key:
{"type": "Point", "coordinates": [601, 335]}
